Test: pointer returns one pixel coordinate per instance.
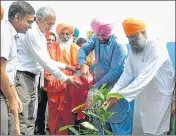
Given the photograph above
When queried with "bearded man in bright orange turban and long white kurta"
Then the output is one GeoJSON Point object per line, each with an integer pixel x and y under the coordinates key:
{"type": "Point", "coordinates": [152, 88]}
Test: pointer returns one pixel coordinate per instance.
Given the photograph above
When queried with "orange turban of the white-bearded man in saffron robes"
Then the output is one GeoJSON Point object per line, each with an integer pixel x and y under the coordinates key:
{"type": "Point", "coordinates": [61, 27]}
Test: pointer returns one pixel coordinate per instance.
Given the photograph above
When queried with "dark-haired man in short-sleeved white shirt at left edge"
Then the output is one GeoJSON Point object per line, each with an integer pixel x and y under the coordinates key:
{"type": "Point", "coordinates": [20, 18]}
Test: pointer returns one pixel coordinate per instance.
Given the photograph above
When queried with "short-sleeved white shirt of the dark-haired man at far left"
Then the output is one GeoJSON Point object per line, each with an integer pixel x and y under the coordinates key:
{"type": "Point", "coordinates": [8, 49]}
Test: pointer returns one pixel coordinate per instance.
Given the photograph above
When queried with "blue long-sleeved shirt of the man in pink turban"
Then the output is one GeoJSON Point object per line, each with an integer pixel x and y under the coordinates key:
{"type": "Point", "coordinates": [109, 59]}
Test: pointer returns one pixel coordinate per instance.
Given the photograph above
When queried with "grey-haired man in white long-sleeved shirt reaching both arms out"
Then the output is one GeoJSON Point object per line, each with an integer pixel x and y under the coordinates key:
{"type": "Point", "coordinates": [32, 58]}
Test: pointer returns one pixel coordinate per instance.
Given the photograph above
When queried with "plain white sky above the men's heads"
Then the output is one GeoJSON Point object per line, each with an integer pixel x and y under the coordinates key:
{"type": "Point", "coordinates": [159, 16]}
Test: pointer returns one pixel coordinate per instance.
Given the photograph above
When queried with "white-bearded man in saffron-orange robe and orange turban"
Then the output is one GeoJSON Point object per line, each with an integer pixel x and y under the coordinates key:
{"type": "Point", "coordinates": [59, 95]}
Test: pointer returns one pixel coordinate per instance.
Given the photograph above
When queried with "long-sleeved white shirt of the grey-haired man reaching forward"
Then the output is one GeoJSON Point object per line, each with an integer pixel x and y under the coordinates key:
{"type": "Point", "coordinates": [33, 55]}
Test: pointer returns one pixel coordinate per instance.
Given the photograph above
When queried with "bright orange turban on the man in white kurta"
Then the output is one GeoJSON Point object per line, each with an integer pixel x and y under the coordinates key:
{"type": "Point", "coordinates": [132, 26]}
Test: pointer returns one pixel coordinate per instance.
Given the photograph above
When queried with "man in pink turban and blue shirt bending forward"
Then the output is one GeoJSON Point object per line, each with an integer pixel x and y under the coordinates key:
{"type": "Point", "coordinates": [110, 56]}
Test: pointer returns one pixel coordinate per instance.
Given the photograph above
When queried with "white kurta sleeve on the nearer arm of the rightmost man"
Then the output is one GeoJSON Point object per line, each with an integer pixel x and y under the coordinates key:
{"type": "Point", "coordinates": [149, 68]}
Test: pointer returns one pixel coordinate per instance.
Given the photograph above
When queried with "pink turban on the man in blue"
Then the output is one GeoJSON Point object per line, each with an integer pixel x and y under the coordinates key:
{"type": "Point", "coordinates": [101, 27]}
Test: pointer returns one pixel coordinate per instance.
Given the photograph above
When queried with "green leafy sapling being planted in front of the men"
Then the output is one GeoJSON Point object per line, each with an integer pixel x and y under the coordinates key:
{"type": "Point", "coordinates": [98, 112]}
